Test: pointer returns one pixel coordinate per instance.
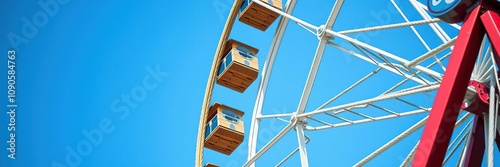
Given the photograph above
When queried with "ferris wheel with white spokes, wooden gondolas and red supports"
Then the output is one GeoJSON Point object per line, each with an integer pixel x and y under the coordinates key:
{"type": "Point", "coordinates": [445, 95]}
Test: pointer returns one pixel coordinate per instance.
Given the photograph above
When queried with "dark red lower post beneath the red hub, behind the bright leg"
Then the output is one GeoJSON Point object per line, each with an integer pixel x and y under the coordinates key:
{"type": "Point", "coordinates": [475, 149]}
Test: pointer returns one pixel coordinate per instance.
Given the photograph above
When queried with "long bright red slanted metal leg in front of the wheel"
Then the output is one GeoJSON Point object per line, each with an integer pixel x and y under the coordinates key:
{"type": "Point", "coordinates": [444, 113]}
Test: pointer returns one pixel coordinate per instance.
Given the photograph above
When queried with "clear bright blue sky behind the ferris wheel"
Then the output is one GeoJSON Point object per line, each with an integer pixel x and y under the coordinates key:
{"type": "Point", "coordinates": [132, 75]}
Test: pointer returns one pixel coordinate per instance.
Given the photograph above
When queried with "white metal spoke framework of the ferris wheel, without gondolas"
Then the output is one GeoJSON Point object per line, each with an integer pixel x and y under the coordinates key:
{"type": "Point", "coordinates": [419, 77]}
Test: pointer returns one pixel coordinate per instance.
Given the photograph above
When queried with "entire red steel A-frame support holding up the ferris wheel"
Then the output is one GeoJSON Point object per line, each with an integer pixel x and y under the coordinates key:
{"type": "Point", "coordinates": [482, 19]}
